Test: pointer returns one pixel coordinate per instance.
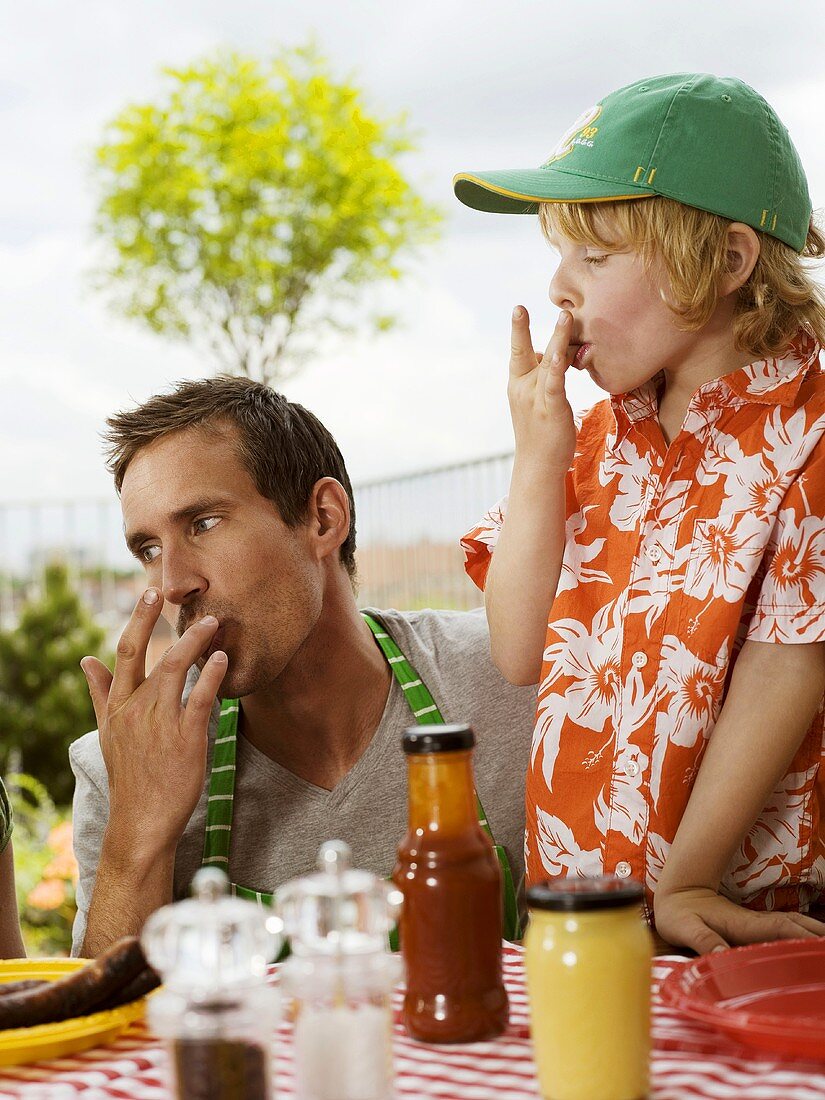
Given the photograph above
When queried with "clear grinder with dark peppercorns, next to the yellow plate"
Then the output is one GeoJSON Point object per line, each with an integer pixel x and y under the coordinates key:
{"type": "Point", "coordinates": [216, 1013]}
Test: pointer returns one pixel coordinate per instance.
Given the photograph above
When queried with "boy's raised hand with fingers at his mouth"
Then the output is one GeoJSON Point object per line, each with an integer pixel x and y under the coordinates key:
{"type": "Point", "coordinates": [543, 420]}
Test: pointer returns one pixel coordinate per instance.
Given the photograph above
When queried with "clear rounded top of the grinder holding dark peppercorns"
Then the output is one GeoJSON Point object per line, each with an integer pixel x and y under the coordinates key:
{"type": "Point", "coordinates": [211, 942]}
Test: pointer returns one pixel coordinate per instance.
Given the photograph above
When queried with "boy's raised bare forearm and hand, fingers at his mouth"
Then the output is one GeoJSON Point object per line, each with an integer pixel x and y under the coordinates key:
{"type": "Point", "coordinates": [525, 569]}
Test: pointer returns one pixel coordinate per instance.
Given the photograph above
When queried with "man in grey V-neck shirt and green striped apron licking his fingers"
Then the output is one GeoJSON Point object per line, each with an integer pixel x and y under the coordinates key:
{"type": "Point", "coordinates": [239, 507]}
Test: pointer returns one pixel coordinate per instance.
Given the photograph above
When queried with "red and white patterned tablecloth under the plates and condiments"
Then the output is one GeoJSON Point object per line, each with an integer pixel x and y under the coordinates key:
{"type": "Point", "coordinates": [689, 1063]}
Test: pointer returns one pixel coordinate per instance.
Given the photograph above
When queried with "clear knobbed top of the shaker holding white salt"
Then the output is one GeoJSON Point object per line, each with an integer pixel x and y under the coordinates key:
{"type": "Point", "coordinates": [339, 910]}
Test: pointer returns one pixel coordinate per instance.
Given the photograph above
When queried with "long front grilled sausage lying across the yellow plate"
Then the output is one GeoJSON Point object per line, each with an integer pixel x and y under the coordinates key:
{"type": "Point", "coordinates": [78, 994]}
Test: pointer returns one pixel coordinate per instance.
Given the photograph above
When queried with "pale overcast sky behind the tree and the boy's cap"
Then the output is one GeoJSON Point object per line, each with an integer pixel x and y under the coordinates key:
{"type": "Point", "coordinates": [487, 85]}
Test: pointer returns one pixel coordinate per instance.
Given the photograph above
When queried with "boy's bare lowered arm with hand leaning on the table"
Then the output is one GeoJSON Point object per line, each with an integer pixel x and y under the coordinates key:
{"type": "Point", "coordinates": [775, 694]}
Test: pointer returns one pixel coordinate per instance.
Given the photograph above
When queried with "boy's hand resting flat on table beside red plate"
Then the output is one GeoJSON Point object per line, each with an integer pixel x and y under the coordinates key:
{"type": "Point", "coordinates": [703, 921]}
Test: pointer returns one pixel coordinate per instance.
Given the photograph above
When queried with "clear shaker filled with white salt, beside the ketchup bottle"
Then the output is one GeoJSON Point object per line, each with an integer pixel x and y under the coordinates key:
{"type": "Point", "coordinates": [342, 976]}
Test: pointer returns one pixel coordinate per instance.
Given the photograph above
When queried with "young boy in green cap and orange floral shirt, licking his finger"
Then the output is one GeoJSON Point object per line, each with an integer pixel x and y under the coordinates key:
{"type": "Point", "coordinates": [662, 569]}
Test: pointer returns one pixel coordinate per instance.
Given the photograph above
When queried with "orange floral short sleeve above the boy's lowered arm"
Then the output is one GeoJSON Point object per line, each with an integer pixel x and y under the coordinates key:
{"type": "Point", "coordinates": [790, 606]}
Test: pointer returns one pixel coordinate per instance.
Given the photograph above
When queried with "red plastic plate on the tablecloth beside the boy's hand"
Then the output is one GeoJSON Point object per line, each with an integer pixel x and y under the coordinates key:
{"type": "Point", "coordinates": [769, 996]}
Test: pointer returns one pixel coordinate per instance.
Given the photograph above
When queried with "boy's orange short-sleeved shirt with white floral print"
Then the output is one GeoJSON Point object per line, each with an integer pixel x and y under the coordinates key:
{"type": "Point", "coordinates": [675, 557]}
